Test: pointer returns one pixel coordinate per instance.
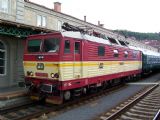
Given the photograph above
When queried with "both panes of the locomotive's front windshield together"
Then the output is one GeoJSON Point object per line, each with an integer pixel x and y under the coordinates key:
{"type": "Point", "coordinates": [49, 45]}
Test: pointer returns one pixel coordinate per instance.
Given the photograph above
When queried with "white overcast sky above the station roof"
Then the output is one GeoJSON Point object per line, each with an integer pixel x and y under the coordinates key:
{"type": "Point", "coordinates": [133, 15]}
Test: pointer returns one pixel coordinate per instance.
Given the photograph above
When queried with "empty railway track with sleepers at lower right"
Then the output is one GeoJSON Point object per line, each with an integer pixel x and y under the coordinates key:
{"type": "Point", "coordinates": [145, 105]}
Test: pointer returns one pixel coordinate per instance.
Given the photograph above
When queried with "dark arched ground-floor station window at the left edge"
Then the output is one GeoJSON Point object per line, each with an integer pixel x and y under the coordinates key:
{"type": "Point", "coordinates": [2, 59]}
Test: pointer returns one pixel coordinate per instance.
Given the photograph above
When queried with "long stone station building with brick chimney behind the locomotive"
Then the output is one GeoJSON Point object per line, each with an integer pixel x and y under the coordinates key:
{"type": "Point", "coordinates": [20, 18]}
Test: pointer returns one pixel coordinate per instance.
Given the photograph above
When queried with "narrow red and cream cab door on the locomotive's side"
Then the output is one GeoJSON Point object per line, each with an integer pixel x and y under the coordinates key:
{"type": "Point", "coordinates": [77, 59]}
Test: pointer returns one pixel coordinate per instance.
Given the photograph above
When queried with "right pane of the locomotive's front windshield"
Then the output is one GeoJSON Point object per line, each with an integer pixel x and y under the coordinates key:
{"type": "Point", "coordinates": [51, 45]}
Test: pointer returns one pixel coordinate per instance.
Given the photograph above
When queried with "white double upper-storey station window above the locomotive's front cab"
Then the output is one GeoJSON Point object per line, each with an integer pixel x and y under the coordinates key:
{"type": "Point", "coordinates": [41, 21]}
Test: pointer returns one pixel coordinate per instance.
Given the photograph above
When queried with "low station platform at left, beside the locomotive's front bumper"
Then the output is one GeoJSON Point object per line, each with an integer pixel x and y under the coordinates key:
{"type": "Point", "coordinates": [12, 96]}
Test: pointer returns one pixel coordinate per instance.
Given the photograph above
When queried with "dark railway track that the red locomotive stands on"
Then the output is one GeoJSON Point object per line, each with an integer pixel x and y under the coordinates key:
{"type": "Point", "coordinates": [36, 110]}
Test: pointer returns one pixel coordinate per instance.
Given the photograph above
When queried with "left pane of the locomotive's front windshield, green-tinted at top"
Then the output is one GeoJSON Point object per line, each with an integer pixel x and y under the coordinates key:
{"type": "Point", "coordinates": [34, 45]}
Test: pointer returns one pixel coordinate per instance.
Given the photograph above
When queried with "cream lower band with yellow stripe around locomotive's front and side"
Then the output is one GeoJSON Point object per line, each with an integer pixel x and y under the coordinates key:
{"type": "Point", "coordinates": [74, 70]}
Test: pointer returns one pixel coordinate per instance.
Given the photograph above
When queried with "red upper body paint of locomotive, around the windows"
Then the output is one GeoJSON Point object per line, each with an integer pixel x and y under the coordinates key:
{"type": "Point", "coordinates": [88, 51]}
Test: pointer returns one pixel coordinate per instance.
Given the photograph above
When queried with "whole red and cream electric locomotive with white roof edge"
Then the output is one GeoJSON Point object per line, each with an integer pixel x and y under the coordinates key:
{"type": "Point", "coordinates": [60, 65]}
